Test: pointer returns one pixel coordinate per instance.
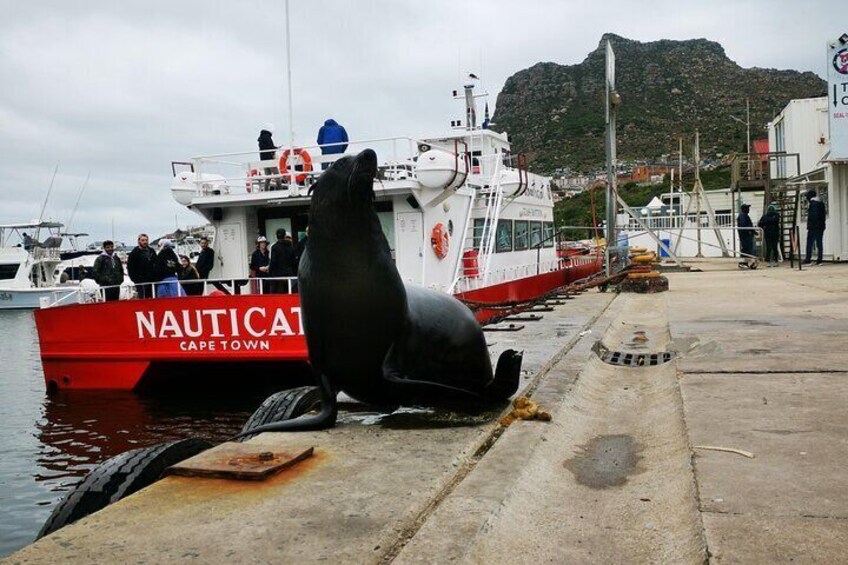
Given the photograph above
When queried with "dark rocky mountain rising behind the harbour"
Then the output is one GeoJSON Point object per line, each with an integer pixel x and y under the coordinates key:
{"type": "Point", "coordinates": [555, 113]}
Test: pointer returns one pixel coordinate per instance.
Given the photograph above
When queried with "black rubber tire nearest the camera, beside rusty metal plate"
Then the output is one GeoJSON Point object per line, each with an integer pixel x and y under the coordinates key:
{"type": "Point", "coordinates": [120, 477]}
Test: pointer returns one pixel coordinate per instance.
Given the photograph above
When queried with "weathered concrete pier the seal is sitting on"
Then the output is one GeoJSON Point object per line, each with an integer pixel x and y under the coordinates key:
{"type": "Point", "coordinates": [627, 471]}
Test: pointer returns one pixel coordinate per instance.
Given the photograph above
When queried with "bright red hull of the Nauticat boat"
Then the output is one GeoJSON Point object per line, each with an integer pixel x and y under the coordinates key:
{"type": "Point", "coordinates": [113, 345]}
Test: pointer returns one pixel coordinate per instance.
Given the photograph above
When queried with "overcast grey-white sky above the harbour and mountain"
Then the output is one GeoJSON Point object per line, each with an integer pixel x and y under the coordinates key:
{"type": "Point", "coordinates": [121, 88]}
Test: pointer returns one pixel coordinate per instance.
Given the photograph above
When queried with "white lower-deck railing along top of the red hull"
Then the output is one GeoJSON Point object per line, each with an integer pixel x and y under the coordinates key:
{"type": "Point", "coordinates": [172, 288]}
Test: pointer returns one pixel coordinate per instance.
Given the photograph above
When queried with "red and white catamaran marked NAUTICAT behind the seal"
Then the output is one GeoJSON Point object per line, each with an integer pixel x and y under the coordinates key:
{"type": "Point", "coordinates": [461, 215]}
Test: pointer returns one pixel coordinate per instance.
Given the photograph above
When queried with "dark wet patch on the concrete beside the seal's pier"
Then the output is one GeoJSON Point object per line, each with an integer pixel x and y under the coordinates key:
{"type": "Point", "coordinates": [606, 461]}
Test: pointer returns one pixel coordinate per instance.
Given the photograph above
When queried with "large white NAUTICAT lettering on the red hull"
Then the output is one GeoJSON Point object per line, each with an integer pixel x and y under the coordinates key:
{"type": "Point", "coordinates": [256, 322]}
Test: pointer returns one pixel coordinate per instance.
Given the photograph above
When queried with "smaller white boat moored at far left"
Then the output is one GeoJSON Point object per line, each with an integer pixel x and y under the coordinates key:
{"type": "Point", "coordinates": [28, 264]}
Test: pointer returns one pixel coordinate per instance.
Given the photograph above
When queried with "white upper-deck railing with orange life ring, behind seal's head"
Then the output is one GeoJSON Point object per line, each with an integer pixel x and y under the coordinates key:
{"type": "Point", "coordinates": [244, 172]}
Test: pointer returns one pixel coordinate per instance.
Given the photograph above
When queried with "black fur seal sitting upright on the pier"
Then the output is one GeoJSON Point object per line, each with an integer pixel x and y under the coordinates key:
{"type": "Point", "coordinates": [368, 334]}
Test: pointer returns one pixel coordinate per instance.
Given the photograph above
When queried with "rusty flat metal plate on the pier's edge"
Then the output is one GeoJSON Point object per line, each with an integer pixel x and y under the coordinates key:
{"type": "Point", "coordinates": [240, 461]}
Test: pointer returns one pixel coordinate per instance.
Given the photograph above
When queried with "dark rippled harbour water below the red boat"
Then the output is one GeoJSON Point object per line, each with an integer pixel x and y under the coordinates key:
{"type": "Point", "coordinates": [48, 443]}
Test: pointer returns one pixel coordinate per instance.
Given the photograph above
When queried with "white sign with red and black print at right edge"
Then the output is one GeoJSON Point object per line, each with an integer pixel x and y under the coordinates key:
{"type": "Point", "coordinates": [837, 90]}
